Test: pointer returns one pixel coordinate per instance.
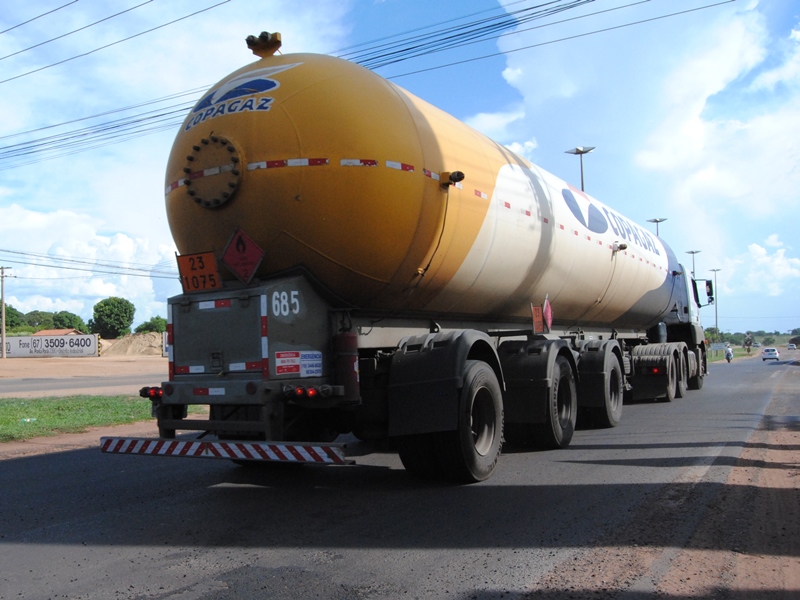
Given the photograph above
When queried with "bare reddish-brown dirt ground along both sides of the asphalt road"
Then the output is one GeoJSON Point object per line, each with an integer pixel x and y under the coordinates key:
{"type": "Point", "coordinates": [746, 546]}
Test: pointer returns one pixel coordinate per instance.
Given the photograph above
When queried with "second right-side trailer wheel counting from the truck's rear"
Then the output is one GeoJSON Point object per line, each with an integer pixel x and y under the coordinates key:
{"type": "Point", "coordinates": [562, 408]}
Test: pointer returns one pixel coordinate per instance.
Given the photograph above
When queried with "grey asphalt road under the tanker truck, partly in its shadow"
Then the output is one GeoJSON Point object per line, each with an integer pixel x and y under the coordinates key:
{"type": "Point", "coordinates": [84, 525]}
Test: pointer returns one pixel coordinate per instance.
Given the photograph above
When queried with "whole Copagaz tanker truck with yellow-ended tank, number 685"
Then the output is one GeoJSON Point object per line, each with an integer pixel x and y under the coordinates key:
{"type": "Point", "coordinates": [358, 264]}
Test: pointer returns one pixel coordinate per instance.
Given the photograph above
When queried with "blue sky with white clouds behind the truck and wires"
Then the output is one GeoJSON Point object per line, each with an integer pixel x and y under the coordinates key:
{"type": "Point", "coordinates": [693, 107]}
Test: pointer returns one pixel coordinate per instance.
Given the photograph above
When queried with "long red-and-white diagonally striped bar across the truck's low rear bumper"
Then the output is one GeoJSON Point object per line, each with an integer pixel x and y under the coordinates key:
{"type": "Point", "coordinates": [275, 451]}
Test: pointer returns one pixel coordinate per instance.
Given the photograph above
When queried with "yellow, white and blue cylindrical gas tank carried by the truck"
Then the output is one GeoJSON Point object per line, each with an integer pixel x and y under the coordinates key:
{"type": "Point", "coordinates": [330, 168]}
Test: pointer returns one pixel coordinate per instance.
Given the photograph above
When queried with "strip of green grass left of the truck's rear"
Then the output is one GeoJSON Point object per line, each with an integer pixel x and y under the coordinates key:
{"type": "Point", "coordinates": [26, 418]}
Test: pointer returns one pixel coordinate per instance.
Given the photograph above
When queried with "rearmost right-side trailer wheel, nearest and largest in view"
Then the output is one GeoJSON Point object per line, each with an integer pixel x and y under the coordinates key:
{"type": "Point", "coordinates": [470, 453]}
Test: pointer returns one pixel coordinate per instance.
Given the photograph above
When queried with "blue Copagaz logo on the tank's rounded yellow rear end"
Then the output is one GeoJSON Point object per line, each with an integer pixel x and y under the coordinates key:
{"type": "Point", "coordinates": [239, 94]}
